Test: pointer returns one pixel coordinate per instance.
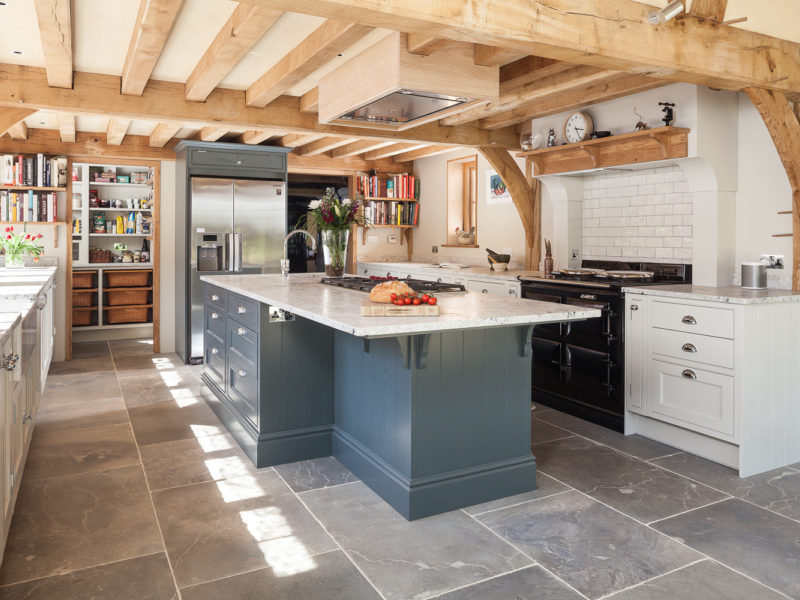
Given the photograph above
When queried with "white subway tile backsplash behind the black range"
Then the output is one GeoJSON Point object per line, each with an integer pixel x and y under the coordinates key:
{"type": "Point", "coordinates": [646, 215]}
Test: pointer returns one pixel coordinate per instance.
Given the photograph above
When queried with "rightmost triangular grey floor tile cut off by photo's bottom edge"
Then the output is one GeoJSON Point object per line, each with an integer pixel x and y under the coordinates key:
{"type": "Point", "coordinates": [701, 581]}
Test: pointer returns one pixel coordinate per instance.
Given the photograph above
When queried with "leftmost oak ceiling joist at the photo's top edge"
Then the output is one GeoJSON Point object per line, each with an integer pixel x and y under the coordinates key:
{"type": "Point", "coordinates": [55, 29]}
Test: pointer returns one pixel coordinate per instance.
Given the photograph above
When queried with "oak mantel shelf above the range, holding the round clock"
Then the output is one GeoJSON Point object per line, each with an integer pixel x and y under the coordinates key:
{"type": "Point", "coordinates": [629, 148]}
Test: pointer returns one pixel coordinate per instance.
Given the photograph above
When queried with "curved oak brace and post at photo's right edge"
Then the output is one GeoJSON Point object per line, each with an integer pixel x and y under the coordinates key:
{"type": "Point", "coordinates": [784, 128]}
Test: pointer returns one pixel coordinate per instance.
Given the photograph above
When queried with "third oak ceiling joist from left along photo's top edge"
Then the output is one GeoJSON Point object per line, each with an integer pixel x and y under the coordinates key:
{"type": "Point", "coordinates": [238, 35]}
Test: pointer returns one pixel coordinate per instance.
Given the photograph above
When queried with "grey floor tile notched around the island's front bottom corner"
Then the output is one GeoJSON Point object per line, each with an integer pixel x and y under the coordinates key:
{"type": "Point", "coordinates": [410, 559]}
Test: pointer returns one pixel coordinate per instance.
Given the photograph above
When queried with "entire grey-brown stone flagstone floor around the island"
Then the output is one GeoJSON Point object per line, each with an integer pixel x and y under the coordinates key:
{"type": "Point", "coordinates": [134, 490]}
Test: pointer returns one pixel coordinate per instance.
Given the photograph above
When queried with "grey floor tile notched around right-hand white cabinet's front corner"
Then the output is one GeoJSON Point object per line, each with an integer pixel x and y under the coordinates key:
{"type": "Point", "coordinates": [777, 490]}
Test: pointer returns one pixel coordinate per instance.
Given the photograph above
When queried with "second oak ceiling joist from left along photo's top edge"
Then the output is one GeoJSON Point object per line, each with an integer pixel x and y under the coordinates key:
{"type": "Point", "coordinates": [153, 26]}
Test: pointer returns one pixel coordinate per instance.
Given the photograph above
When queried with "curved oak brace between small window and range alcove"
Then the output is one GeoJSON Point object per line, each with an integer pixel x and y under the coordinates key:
{"type": "Point", "coordinates": [526, 195]}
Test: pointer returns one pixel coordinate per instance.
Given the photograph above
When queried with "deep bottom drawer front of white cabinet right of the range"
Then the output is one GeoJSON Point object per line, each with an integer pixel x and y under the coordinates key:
{"type": "Point", "coordinates": [693, 398]}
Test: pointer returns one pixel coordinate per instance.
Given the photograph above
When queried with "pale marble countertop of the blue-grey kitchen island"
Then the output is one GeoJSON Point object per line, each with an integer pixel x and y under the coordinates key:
{"type": "Point", "coordinates": [303, 295]}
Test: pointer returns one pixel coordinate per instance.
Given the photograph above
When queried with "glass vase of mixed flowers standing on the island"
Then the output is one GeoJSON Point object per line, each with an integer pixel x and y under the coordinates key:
{"type": "Point", "coordinates": [332, 216]}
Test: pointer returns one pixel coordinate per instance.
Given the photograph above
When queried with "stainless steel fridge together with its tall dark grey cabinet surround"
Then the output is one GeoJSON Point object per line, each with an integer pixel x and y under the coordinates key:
{"type": "Point", "coordinates": [231, 218]}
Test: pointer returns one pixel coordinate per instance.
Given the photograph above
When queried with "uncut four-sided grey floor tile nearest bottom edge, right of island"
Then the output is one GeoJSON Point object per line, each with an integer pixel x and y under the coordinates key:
{"type": "Point", "coordinates": [588, 545]}
